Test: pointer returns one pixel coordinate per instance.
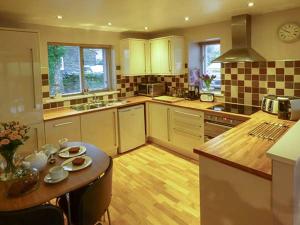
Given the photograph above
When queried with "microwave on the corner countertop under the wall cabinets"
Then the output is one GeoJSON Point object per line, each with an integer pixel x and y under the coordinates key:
{"type": "Point", "coordinates": [152, 89]}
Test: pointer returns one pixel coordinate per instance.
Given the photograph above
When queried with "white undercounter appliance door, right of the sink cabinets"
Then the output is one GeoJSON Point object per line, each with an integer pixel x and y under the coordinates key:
{"type": "Point", "coordinates": [131, 127]}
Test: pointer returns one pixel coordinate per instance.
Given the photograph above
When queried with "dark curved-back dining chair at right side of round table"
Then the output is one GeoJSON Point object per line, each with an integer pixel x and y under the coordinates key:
{"type": "Point", "coordinates": [90, 203]}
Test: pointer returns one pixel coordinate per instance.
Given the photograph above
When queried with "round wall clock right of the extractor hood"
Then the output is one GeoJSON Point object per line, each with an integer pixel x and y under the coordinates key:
{"type": "Point", "coordinates": [289, 32]}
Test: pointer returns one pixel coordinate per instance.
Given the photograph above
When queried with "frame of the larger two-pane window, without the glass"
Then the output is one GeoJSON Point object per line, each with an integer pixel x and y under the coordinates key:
{"type": "Point", "coordinates": [108, 62]}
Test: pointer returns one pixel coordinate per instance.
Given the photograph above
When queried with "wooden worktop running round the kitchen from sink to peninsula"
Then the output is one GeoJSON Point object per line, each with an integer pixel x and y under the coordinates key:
{"type": "Point", "coordinates": [234, 147]}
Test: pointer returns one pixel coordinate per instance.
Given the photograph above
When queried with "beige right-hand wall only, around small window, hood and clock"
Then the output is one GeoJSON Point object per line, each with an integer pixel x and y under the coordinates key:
{"type": "Point", "coordinates": [264, 35]}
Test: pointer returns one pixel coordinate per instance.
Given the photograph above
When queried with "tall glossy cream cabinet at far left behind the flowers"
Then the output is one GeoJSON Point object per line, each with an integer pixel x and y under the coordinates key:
{"type": "Point", "coordinates": [20, 86]}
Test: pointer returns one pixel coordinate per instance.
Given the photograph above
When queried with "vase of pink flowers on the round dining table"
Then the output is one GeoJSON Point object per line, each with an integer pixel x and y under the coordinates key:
{"type": "Point", "coordinates": [12, 135]}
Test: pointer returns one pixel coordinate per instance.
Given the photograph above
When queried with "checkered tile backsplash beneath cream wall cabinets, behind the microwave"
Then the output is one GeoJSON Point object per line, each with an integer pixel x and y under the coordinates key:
{"type": "Point", "coordinates": [128, 85]}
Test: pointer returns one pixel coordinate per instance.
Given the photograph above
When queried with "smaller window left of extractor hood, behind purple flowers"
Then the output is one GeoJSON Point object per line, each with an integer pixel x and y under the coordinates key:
{"type": "Point", "coordinates": [210, 51]}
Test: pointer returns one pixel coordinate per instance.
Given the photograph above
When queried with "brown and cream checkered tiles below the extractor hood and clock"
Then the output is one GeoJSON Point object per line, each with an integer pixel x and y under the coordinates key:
{"type": "Point", "coordinates": [246, 83]}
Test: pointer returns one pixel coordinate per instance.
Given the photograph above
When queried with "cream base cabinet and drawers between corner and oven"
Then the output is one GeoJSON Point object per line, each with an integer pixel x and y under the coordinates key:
{"type": "Point", "coordinates": [176, 128]}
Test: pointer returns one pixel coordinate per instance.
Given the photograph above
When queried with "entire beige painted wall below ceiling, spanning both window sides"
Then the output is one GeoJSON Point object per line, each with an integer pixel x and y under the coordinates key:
{"type": "Point", "coordinates": [264, 36]}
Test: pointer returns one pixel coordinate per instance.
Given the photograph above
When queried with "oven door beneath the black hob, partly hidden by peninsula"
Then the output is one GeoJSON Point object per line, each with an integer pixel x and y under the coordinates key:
{"type": "Point", "coordinates": [213, 129]}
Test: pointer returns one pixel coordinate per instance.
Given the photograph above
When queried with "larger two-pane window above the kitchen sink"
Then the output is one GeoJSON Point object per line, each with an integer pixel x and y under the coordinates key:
{"type": "Point", "coordinates": [73, 69]}
